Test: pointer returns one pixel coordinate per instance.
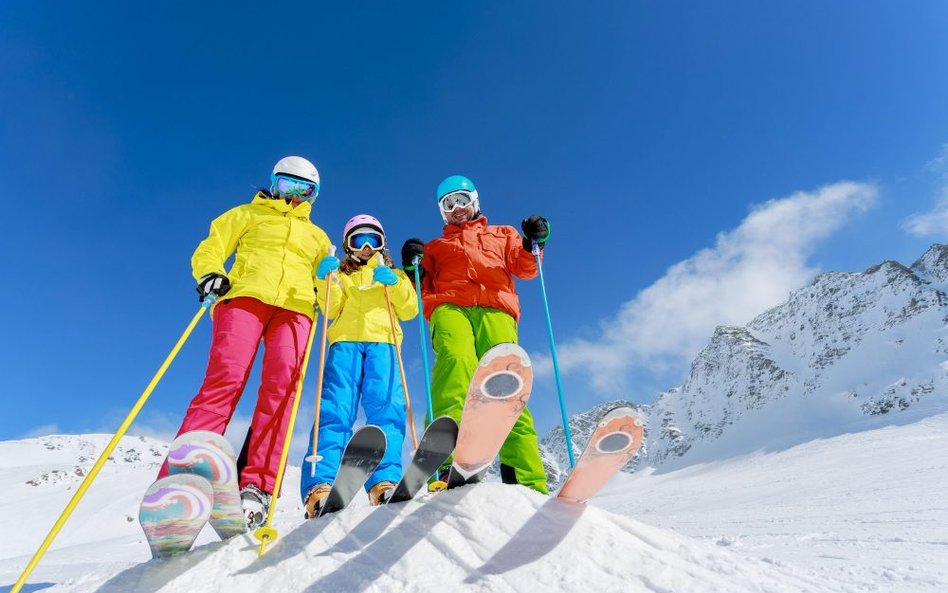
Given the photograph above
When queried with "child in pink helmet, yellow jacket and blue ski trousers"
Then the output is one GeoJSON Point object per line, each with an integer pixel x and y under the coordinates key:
{"type": "Point", "coordinates": [361, 364]}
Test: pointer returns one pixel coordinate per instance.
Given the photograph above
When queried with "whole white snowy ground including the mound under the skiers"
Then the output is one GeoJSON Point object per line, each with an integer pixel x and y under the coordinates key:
{"type": "Point", "coordinates": [861, 511]}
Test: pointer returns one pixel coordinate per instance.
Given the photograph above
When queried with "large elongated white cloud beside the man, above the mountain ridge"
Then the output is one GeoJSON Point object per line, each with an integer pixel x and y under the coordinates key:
{"type": "Point", "coordinates": [749, 270]}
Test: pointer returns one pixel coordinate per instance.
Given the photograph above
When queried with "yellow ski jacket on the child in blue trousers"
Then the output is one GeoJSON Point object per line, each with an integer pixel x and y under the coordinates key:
{"type": "Point", "coordinates": [358, 309]}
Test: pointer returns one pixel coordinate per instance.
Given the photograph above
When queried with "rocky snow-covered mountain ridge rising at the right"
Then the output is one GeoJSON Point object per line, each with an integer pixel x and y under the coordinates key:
{"type": "Point", "coordinates": [872, 341]}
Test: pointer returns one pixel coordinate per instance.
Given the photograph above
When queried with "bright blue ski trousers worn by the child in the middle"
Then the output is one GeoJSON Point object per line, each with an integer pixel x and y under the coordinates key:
{"type": "Point", "coordinates": [365, 372]}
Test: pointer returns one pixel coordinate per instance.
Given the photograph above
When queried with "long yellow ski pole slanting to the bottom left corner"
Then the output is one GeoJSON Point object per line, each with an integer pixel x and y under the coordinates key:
{"type": "Point", "coordinates": [94, 472]}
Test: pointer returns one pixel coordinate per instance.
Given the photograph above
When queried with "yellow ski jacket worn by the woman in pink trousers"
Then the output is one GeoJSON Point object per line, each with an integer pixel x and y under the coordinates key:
{"type": "Point", "coordinates": [277, 246]}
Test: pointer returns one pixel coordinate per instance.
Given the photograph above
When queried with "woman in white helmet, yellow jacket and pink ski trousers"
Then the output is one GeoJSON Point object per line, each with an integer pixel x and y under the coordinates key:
{"type": "Point", "coordinates": [268, 294]}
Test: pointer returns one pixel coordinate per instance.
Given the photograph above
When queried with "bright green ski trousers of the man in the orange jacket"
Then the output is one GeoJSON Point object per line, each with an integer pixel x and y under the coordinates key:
{"type": "Point", "coordinates": [460, 336]}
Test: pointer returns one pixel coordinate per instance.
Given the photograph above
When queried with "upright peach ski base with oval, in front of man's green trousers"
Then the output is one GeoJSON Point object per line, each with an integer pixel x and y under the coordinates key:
{"type": "Point", "coordinates": [498, 394]}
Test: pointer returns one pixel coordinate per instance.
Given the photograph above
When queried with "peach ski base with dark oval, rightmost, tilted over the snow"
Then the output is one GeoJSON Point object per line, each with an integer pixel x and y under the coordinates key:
{"type": "Point", "coordinates": [613, 443]}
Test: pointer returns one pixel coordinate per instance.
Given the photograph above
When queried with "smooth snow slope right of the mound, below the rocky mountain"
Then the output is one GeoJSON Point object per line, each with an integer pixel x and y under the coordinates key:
{"type": "Point", "coordinates": [866, 508]}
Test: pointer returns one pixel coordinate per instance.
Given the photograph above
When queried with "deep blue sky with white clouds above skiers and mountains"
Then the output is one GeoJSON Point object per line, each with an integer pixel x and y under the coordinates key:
{"type": "Point", "coordinates": [691, 157]}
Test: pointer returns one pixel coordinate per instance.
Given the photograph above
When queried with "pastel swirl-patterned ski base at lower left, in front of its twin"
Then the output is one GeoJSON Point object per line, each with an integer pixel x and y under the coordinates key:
{"type": "Point", "coordinates": [174, 511]}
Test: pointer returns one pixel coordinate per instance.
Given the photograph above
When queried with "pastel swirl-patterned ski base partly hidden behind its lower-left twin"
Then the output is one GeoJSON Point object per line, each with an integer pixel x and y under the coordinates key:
{"type": "Point", "coordinates": [210, 456]}
